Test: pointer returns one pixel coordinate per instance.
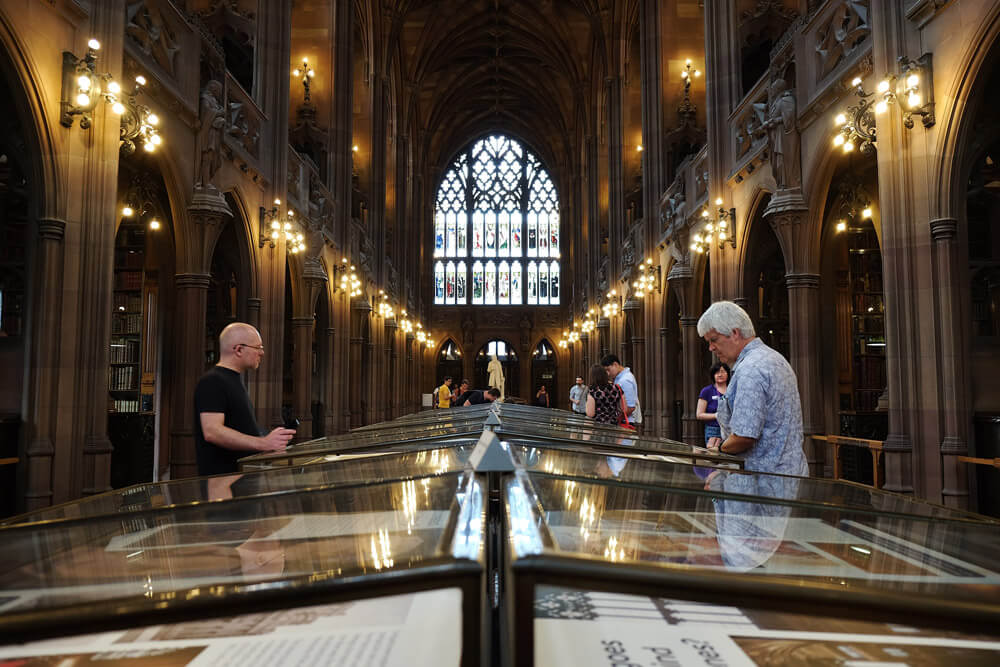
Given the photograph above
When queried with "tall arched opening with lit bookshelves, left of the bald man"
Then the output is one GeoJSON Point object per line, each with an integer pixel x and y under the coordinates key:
{"type": "Point", "coordinates": [142, 303]}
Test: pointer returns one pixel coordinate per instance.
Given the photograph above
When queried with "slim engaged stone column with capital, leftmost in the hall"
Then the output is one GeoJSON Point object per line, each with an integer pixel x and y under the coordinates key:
{"type": "Point", "coordinates": [44, 363]}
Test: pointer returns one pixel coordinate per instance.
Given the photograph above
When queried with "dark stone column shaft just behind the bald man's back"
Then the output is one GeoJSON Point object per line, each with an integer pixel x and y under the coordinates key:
{"type": "Point", "coordinates": [189, 364]}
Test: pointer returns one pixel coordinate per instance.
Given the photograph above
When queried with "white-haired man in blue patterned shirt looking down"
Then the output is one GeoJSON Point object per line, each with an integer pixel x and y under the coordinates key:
{"type": "Point", "coordinates": [761, 415]}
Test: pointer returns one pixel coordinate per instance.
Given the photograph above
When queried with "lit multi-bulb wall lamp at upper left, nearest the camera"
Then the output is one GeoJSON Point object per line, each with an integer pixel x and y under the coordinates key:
{"type": "Point", "coordinates": [83, 88]}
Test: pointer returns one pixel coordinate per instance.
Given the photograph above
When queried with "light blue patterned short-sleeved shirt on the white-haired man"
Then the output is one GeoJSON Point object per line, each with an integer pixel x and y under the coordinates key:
{"type": "Point", "coordinates": [762, 403]}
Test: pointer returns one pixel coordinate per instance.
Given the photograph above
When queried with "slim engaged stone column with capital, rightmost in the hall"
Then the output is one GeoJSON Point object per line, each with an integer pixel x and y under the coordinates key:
{"type": "Point", "coordinates": [955, 483]}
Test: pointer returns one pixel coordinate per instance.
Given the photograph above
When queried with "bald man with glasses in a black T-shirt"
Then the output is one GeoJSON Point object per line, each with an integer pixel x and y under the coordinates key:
{"type": "Point", "coordinates": [225, 428]}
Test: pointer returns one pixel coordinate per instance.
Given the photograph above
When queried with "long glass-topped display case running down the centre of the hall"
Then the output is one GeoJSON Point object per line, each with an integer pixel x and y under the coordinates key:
{"type": "Point", "coordinates": [499, 535]}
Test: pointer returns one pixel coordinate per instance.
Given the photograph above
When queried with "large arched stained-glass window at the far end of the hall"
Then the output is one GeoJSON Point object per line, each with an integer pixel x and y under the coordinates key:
{"type": "Point", "coordinates": [496, 202]}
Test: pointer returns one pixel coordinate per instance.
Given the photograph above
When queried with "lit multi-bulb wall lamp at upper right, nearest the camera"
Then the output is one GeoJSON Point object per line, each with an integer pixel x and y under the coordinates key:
{"type": "Point", "coordinates": [912, 91]}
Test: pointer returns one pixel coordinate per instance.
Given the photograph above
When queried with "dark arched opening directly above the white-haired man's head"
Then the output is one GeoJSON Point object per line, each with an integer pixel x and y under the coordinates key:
{"type": "Point", "coordinates": [764, 283]}
